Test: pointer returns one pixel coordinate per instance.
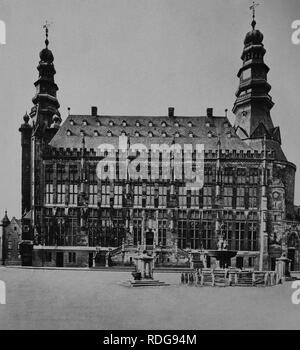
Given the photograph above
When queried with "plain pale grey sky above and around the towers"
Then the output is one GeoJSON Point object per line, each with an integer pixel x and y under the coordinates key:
{"type": "Point", "coordinates": [139, 57]}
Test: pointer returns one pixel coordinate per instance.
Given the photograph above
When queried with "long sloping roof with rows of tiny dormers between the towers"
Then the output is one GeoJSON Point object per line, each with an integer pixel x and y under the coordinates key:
{"type": "Point", "coordinates": [205, 130]}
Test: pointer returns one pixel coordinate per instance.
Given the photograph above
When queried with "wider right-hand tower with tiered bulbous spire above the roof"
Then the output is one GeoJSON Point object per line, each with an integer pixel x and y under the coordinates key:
{"type": "Point", "coordinates": [253, 102]}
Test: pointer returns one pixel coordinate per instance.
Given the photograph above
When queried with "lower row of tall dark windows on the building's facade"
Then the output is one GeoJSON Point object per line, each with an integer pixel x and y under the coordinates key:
{"type": "Point", "coordinates": [194, 233]}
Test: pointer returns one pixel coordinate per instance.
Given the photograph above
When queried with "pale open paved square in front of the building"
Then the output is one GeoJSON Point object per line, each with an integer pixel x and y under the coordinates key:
{"type": "Point", "coordinates": [60, 299]}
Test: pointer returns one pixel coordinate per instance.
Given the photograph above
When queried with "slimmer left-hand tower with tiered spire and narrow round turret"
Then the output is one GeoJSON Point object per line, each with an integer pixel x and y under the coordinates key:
{"type": "Point", "coordinates": [36, 132]}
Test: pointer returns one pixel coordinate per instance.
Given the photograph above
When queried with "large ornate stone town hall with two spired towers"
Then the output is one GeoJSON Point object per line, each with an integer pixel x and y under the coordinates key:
{"type": "Point", "coordinates": [73, 217]}
